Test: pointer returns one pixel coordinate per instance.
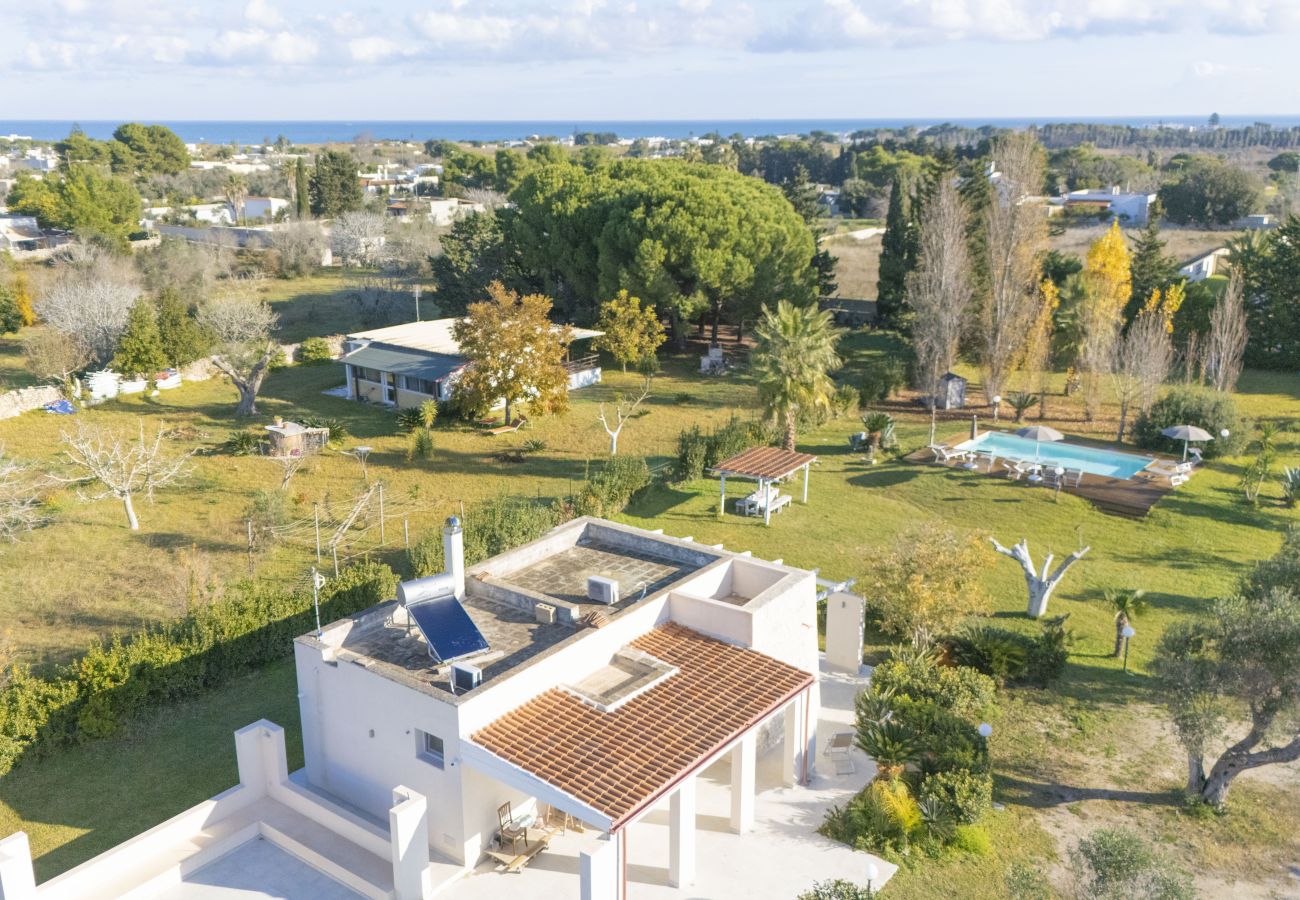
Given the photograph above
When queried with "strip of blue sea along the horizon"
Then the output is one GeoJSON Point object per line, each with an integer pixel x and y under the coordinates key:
{"type": "Point", "coordinates": [327, 132]}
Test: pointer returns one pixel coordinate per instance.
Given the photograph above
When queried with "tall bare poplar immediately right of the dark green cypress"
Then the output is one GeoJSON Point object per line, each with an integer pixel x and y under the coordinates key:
{"type": "Point", "coordinates": [939, 291]}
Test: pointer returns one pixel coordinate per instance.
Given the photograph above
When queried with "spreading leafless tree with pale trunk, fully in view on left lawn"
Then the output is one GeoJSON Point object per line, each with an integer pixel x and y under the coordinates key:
{"type": "Point", "coordinates": [120, 466]}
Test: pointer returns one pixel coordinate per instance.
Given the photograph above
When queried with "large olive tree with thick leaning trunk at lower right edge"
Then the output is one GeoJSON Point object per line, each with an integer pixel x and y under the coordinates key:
{"type": "Point", "coordinates": [1243, 663]}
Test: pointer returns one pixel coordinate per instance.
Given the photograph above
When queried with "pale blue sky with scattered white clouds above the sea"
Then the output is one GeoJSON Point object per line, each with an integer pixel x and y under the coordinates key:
{"type": "Point", "coordinates": [645, 59]}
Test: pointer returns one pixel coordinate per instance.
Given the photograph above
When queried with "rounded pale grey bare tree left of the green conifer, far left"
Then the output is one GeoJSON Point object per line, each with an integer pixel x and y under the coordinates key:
{"type": "Point", "coordinates": [90, 304]}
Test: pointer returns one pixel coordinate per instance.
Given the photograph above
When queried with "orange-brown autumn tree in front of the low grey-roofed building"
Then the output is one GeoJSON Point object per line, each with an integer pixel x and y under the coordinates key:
{"type": "Point", "coordinates": [515, 353]}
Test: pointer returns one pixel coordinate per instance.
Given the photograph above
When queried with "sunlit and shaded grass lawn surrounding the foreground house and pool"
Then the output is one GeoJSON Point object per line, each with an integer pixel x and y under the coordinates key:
{"type": "Point", "coordinates": [1093, 750]}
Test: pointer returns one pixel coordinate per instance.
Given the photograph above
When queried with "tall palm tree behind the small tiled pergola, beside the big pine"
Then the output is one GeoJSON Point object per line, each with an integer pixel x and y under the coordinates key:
{"type": "Point", "coordinates": [794, 361]}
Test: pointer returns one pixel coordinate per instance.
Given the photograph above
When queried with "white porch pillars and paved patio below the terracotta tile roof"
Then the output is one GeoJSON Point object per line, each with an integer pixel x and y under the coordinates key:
{"type": "Point", "coordinates": [742, 824]}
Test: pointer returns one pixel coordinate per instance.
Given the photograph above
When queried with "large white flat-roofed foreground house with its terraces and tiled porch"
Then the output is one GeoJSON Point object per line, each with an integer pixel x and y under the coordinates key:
{"type": "Point", "coordinates": [595, 694]}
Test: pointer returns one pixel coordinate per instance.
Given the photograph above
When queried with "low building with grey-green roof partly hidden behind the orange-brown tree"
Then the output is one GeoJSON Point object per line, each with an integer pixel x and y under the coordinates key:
{"type": "Point", "coordinates": [405, 366]}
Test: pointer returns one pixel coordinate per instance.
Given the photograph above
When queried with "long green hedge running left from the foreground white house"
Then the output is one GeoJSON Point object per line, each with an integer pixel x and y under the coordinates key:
{"type": "Point", "coordinates": [115, 682]}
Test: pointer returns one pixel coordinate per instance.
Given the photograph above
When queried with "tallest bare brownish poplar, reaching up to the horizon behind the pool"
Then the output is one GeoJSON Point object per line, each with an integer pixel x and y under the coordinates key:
{"type": "Point", "coordinates": [1017, 240]}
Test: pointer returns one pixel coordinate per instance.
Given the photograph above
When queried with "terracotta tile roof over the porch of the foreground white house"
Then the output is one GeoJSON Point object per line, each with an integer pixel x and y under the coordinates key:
{"type": "Point", "coordinates": [619, 761]}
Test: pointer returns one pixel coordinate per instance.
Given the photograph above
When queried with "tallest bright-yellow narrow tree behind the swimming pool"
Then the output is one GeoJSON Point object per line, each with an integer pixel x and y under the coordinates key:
{"type": "Point", "coordinates": [1108, 284]}
